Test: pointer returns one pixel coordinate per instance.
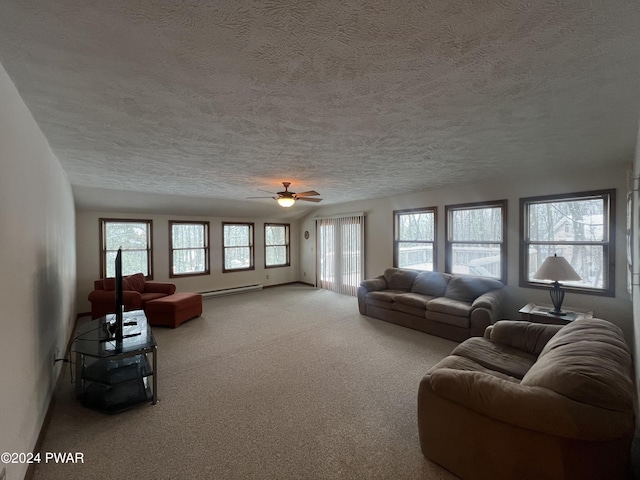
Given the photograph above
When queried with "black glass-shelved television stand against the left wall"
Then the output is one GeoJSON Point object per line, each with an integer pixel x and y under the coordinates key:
{"type": "Point", "coordinates": [113, 374]}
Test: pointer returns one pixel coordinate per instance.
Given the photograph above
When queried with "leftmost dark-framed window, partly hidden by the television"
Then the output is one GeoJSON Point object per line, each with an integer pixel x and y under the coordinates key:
{"type": "Point", "coordinates": [134, 237]}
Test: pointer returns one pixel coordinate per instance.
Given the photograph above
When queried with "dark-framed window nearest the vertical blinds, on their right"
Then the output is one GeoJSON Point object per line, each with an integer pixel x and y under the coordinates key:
{"type": "Point", "coordinates": [414, 238]}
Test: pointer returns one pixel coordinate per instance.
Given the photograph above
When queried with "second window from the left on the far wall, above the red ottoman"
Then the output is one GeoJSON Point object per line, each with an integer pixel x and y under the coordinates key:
{"type": "Point", "coordinates": [189, 248]}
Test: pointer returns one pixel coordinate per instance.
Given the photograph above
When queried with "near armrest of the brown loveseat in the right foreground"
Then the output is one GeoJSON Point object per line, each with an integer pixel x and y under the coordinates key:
{"type": "Point", "coordinates": [532, 408]}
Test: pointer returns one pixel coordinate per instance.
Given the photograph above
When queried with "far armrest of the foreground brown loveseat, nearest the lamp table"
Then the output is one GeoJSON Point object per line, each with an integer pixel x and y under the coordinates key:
{"type": "Point", "coordinates": [526, 336]}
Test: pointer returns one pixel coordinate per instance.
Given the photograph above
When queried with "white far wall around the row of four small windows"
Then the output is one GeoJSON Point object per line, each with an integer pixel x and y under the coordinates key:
{"type": "Point", "coordinates": [88, 241]}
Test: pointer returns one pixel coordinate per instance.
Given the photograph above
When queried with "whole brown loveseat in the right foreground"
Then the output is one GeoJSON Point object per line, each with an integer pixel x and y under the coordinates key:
{"type": "Point", "coordinates": [532, 401]}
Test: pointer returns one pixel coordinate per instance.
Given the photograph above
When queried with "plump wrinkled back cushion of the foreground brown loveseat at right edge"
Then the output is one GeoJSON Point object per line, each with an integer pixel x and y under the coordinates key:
{"type": "Point", "coordinates": [589, 362]}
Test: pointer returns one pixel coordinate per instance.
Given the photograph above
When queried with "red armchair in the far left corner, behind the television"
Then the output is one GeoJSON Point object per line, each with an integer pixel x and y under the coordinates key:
{"type": "Point", "coordinates": [136, 293]}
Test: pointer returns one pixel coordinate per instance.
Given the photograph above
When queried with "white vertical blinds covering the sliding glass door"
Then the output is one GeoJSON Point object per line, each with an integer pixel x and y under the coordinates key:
{"type": "Point", "coordinates": [340, 251]}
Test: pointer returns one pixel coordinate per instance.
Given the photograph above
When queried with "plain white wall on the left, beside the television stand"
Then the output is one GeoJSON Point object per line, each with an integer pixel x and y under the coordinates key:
{"type": "Point", "coordinates": [37, 276]}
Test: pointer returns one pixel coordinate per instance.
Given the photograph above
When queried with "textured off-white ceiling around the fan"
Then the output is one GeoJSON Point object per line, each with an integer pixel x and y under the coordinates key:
{"type": "Point", "coordinates": [194, 105]}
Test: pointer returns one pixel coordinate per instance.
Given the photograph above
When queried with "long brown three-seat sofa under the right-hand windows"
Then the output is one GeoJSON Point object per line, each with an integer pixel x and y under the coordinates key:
{"type": "Point", "coordinates": [451, 306]}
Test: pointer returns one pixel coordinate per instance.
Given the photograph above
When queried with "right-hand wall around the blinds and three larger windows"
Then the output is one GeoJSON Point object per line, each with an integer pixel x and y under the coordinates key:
{"type": "Point", "coordinates": [379, 233]}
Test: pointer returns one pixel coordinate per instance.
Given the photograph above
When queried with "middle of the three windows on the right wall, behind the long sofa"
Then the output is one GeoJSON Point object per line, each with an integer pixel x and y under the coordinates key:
{"type": "Point", "coordinates": [476, 242]}
